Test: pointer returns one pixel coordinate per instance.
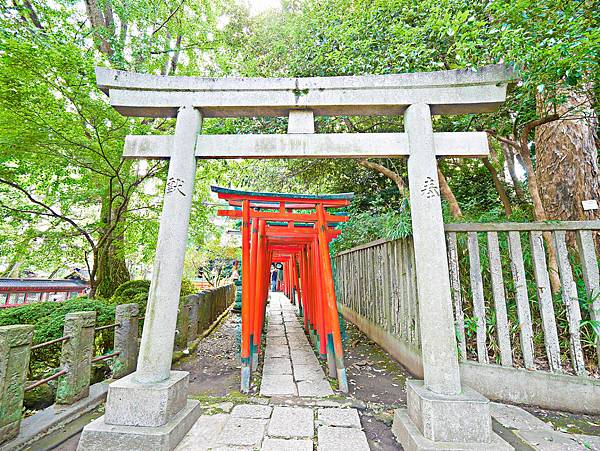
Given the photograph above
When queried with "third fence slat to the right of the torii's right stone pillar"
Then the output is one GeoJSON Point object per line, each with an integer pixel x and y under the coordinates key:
{"type": "Point", "coordinates": [497, 280]}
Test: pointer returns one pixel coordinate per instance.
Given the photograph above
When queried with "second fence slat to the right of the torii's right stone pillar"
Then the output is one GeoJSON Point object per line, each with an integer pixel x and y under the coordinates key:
{"type": "Point", "coordinates": [478, 300]}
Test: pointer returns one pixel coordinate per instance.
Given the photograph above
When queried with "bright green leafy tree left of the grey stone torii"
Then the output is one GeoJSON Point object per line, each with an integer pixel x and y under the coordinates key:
{"type": "Point", "coordinates": [66, 196]}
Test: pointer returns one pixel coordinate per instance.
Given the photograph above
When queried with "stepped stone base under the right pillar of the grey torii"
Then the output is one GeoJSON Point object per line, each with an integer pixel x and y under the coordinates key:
{"type": "Point", "coordinates": [433, 421]}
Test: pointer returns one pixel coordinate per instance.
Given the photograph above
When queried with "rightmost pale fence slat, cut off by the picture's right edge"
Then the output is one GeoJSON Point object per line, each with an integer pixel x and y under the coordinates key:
{"type": "Point", "coordinates": [591, 278]}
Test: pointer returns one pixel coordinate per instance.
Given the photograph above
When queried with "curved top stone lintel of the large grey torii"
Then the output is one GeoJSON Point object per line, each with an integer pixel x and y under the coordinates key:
{"type": "Point", "coordinates": [447, 92]}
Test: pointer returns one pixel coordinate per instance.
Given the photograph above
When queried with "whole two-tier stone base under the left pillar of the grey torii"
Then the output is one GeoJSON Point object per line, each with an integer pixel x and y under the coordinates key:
{"type": "Point", "coordinates": [143, 416]}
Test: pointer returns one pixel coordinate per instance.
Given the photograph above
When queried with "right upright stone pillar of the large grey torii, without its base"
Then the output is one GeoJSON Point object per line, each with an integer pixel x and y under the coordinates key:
{"type": "Point", "coordinates": [438, 341]}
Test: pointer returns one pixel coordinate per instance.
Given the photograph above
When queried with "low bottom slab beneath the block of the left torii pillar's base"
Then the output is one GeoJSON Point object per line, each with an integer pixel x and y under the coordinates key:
{"type": "Point", "coordinates": [99, 436]}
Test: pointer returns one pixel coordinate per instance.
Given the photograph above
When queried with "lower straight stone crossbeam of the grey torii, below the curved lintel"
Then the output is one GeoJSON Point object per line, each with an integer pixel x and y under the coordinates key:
{"type": "Point", "coordinates": [342, 145]}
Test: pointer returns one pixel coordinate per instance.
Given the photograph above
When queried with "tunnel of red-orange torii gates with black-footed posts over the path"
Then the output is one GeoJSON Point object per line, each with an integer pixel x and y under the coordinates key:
{"type": "Point", "coordinates": [295, 230]}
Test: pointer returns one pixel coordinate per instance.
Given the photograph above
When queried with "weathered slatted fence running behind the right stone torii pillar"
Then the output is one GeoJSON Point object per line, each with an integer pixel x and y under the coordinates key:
{"type": "Point", "coordinates": [505, 310]}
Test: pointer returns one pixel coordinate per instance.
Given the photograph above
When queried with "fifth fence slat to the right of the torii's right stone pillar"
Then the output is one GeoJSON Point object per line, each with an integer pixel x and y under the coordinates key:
{"type": "Point", "coordinates": [544, 292]}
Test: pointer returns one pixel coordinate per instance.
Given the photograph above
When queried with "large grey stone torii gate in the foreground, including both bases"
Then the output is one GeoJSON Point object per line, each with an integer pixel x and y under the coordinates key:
{"type": "Point", "coordinates": [150, 406]}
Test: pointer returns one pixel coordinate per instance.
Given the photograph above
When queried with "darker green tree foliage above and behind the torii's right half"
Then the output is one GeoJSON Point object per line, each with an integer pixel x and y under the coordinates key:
{"type": "Point", "coordinates": [552, 45]}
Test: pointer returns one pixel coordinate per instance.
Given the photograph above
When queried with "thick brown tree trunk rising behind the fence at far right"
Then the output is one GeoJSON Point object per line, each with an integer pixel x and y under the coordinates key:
{"type": "Point", "coordinates": [567, 161]}
